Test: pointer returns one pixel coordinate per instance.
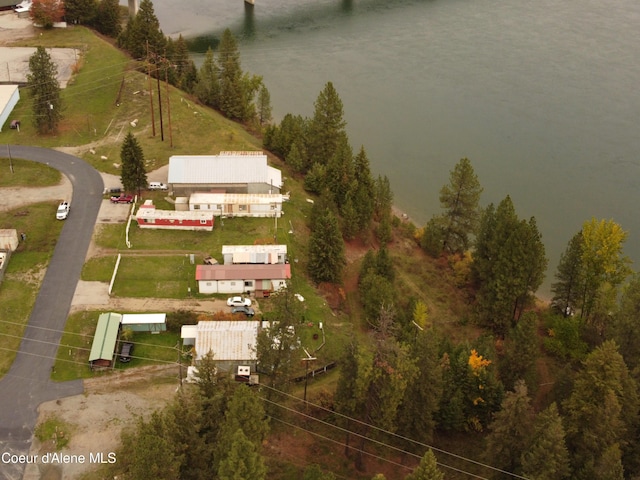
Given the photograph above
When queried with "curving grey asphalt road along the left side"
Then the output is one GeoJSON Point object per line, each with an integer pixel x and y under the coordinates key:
{"type": "Point", "coordinates": [27, 384]}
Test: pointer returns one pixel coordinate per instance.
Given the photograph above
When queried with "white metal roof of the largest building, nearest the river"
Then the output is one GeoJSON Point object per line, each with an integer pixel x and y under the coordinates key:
{"type": "Point", "coordinates": [226, 168]}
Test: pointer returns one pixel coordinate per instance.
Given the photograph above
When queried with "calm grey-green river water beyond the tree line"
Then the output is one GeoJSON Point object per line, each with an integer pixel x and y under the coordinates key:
{"type": "Point", "coordinates": [543, 97]}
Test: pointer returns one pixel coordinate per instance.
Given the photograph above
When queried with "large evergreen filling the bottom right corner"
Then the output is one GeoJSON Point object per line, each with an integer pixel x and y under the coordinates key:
{"type": "Point", "coordinates": [601, 412]}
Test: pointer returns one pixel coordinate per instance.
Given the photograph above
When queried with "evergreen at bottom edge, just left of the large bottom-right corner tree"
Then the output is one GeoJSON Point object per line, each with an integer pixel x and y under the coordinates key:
{"type": "Point", "coordinates": [547, 457]}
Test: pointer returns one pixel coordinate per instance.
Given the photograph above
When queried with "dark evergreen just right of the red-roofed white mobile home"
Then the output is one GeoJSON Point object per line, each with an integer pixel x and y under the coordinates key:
{"type": "Point", "coordinates": [326, 248]}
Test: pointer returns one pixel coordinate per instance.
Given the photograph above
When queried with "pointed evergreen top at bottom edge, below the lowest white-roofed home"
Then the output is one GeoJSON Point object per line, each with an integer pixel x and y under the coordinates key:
{"type": "Point", "coordinates": [243, 461]}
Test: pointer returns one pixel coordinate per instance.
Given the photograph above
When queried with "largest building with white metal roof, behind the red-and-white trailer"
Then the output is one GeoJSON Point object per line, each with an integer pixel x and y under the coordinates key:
{"type": "Point", "coordinates": [228, 172]}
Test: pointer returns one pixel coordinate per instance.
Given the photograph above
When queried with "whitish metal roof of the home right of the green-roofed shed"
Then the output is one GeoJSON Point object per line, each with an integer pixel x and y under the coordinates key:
{"type": "Point", "coordinates": [227, 340]}
